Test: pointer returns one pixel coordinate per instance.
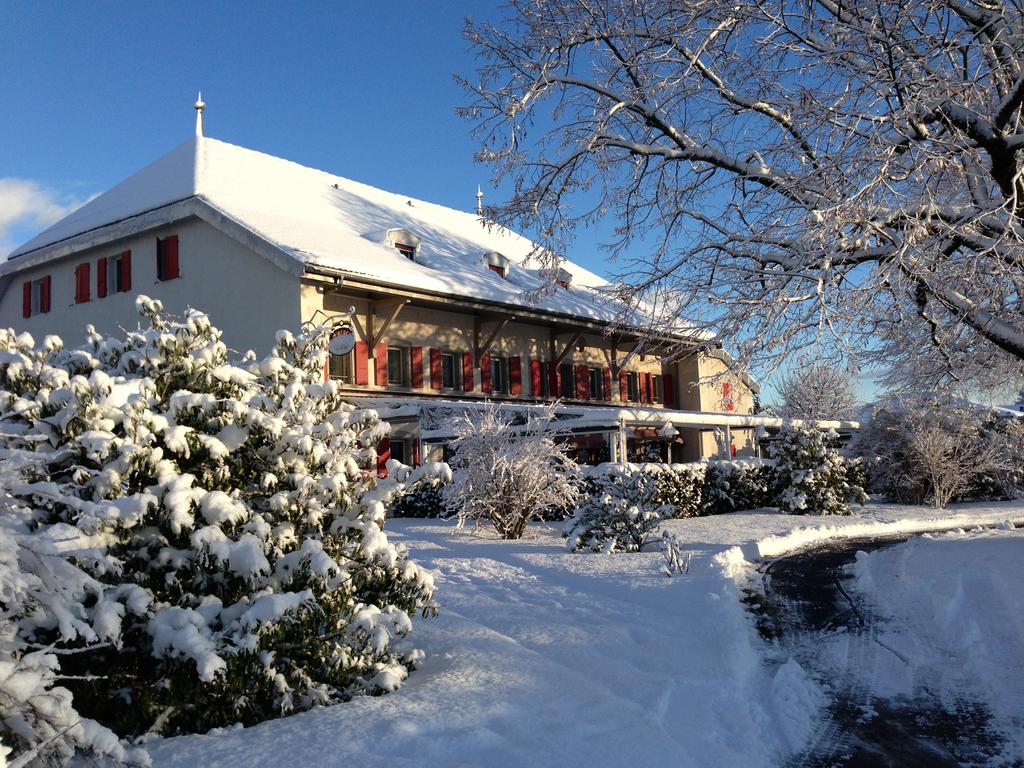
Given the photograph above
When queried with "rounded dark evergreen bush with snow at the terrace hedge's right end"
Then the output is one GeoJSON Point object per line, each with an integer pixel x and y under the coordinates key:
{"type": "Point", "coordinates": [812, 474]}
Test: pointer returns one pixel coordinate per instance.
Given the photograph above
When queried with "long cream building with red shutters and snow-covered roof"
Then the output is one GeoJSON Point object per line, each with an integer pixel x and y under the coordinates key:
{"type": "Point", "coordinates": [437, 297]}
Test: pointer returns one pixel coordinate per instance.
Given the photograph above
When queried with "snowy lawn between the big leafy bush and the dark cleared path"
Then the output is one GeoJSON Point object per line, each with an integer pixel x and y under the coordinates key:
{"type": "Point", "coordinates": [541, 657]}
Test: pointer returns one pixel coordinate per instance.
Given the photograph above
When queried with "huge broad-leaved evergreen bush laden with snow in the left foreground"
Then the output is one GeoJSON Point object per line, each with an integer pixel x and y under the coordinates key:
{"type": "Point", "coordinates": [225, 521]}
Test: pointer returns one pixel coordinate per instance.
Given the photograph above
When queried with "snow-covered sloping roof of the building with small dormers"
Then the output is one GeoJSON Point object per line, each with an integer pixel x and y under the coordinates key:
{"type": "Point", "coordinates": [323, 221]}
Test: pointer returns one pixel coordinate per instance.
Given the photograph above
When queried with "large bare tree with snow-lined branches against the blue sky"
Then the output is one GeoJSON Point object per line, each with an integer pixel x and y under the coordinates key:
{"type": "Point", "coordinates": [784, 174]}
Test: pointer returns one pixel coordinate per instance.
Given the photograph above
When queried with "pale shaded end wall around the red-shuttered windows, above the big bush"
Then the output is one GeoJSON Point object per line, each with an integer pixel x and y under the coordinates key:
{"type": "Point", "coordinates": [245, 295]}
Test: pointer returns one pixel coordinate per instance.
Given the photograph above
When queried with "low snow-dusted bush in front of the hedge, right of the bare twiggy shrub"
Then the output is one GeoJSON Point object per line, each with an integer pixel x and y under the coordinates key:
{"type": "Point", "coordinates": [621, 511]}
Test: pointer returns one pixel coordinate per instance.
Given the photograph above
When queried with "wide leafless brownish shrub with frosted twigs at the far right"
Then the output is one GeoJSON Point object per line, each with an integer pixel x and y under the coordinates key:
{"type": "Point", "coordinates": [938, 450]}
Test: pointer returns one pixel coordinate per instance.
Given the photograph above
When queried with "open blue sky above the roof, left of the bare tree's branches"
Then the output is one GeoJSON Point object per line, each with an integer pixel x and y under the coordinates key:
{"type": "Point", "coordinates": [96, 92]}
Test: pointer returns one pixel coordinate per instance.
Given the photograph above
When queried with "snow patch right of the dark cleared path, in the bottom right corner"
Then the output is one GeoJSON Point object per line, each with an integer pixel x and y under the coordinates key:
{"type": "Point", "coordinates": [954, 611]}
